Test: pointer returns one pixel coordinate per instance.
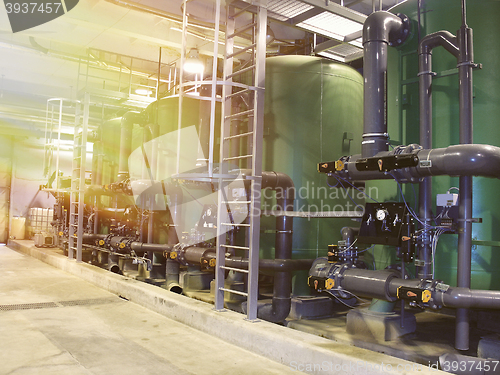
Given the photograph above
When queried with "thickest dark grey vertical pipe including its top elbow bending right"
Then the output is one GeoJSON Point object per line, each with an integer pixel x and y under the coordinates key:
{"type": "Point", "coordinates": [380, 30]}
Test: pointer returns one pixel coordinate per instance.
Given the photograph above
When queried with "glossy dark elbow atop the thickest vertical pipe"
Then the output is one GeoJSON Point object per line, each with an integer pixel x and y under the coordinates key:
{"type": "Point", "coordinates": [386, 27]}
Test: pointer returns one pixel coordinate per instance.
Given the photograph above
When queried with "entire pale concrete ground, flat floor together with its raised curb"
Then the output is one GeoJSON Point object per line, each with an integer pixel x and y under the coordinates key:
{"type": "Point", "coordinates": [82, 324]}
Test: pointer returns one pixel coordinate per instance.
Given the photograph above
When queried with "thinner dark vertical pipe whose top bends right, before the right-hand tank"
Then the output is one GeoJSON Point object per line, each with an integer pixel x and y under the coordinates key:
{"type": "Point", "coordinates": [449, 42]}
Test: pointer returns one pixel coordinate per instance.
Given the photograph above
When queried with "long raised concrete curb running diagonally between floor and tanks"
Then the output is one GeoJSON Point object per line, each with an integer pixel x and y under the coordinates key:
{"type": "Point", "coordinates": [298, 350]}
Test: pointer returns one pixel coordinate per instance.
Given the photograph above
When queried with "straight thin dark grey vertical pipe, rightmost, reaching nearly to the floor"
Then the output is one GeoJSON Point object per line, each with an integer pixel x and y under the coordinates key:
{"type": "Point", "coordinates": [465, 64]}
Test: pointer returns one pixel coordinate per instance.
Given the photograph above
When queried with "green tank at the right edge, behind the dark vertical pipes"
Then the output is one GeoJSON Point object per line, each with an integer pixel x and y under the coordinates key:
{"type": "Point", "coordinates": [403, 119]}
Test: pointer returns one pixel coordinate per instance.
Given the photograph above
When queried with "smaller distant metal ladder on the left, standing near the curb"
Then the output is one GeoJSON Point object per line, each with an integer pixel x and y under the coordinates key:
{"type": "Point", "coordinates": [78, 181]}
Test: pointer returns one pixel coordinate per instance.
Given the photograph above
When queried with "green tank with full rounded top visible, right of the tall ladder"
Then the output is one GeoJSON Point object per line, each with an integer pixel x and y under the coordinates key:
{"type": "Point", "coordinates": [313, 113]}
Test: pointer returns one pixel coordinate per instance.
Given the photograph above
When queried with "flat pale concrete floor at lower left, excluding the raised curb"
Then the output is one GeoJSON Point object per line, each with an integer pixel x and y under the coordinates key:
{"type": "Point", "coordinates": [54, 323]}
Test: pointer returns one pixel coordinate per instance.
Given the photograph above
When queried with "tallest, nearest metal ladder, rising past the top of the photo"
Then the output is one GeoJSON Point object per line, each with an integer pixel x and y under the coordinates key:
{"type": "Point", "coordinates": [250, 157]}
